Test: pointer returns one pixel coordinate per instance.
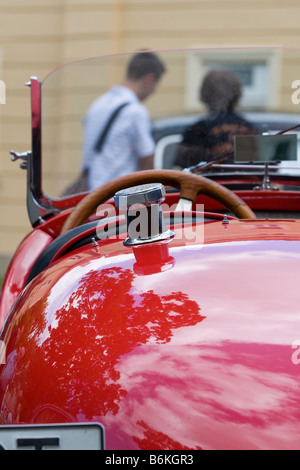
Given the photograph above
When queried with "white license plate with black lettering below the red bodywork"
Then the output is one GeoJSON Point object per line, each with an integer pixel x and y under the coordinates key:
{"type": "Point", "coordinates": [73, 436]}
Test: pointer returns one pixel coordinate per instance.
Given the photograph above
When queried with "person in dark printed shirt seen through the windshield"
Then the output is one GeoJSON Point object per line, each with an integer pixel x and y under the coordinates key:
{"type": "Point", "coordinates": [213, 137]}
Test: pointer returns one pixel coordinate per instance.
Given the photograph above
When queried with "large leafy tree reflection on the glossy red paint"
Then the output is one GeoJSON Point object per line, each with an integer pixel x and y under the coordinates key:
{"type": "Point", "coordinates": [73, 353]}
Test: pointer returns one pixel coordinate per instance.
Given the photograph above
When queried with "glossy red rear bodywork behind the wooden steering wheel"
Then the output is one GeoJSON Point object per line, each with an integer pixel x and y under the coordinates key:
{"type": "Point", "coordinates": [196, 353]}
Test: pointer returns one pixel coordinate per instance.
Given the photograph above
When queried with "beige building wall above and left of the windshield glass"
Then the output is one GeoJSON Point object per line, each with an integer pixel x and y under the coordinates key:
{"type": "Point", "coordinates": [38, 35]}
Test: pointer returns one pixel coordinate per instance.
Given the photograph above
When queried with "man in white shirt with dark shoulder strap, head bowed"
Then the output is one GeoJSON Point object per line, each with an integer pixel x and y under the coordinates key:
{"type": "Point", "coordinates": [117, 128]}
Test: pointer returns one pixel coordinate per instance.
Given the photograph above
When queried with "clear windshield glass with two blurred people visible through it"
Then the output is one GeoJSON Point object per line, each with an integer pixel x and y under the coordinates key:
{"type": "Point", "coordinates": [108, 116]}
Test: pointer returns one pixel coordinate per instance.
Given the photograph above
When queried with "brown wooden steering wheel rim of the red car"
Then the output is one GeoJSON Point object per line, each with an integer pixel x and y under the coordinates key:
{"type": "Point", "coordinates": [189, 185]}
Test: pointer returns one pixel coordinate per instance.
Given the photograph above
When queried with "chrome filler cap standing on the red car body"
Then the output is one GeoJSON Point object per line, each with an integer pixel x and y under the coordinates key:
{"type": "Point", "coordinates": [145, 221]}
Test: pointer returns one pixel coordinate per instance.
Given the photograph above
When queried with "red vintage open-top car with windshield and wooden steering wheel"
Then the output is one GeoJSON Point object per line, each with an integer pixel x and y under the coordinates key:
{"type": "Point", "coordinates": [181, 334]}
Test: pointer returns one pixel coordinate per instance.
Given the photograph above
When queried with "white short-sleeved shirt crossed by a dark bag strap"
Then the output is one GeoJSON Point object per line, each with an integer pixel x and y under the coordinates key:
{"type": "Point", "coordinates": [128, 139]}
